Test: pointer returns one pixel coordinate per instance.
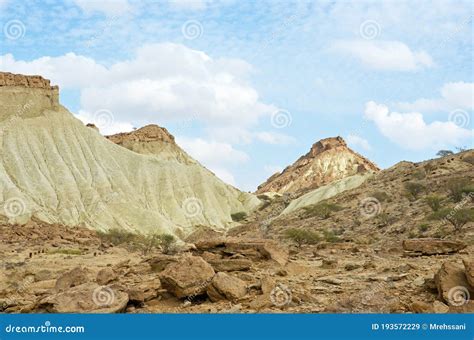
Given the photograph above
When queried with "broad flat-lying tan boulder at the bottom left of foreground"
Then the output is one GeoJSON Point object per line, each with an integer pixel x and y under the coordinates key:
{"type": "Point", "coordinates": [86, 298]}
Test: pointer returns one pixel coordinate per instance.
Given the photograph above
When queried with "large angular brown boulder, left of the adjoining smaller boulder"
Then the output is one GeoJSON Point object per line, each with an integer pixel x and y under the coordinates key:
{"type": "Point", "coordinates": [190, 276]}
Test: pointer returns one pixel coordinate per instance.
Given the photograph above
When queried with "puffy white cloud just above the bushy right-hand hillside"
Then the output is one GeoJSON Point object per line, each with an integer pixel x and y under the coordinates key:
{"type": "Point", "coordinates": [410, 131]}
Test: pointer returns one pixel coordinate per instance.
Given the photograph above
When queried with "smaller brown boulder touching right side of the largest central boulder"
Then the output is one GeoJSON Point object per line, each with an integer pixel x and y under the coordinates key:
{"type": "Point", "coordinates": [226, 287]}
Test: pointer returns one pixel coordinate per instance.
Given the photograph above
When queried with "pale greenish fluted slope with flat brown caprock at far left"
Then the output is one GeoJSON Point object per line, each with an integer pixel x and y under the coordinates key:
{"type": "Point", "coordinates": [57, 170]}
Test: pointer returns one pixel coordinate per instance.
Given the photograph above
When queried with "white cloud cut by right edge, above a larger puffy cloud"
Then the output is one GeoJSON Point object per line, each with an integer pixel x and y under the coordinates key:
{"type": "Point", "coordinates": [454, 96]}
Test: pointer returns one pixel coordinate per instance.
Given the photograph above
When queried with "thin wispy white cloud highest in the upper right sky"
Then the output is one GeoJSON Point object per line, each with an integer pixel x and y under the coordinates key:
{"type": "Point", "coordinates": [386, 55]}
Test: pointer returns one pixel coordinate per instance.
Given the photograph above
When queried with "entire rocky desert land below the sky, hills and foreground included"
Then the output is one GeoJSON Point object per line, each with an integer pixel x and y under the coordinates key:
{"type": "Point", "coordinates": [98, 225]}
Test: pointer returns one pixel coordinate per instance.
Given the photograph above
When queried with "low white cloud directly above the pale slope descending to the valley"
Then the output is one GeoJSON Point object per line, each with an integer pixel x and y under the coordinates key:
{"type": "Point", "coordinates": [214, 155]}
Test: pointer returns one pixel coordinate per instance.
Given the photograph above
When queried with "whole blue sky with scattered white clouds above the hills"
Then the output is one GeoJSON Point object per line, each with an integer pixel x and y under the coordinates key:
{"type": "Point", "coordinates": [248, 86]}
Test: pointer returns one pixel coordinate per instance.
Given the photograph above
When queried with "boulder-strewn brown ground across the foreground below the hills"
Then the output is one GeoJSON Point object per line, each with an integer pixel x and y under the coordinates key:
{"type": "Point", "coordinates": [51, 268]}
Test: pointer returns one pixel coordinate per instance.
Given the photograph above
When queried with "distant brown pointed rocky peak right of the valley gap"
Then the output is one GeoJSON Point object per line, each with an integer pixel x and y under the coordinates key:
{"type": "Point", "coordinates": [328, 160]}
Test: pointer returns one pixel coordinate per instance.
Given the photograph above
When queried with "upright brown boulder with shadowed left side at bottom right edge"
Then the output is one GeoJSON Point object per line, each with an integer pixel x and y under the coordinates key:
{"type": "Point", "coordinates": [452, 284]}
